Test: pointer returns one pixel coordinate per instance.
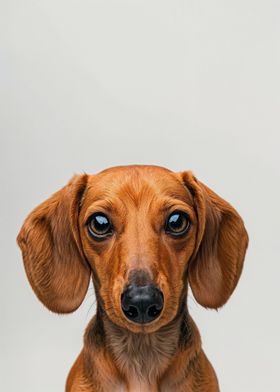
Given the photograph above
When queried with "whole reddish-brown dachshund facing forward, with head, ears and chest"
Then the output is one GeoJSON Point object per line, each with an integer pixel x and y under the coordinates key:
{"type": "Point", "coordinates": [143, 233]}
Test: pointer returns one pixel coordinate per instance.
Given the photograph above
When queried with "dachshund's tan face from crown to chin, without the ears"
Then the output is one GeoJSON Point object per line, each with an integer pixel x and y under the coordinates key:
{"type": "Point", "coordinates": [140, 247]}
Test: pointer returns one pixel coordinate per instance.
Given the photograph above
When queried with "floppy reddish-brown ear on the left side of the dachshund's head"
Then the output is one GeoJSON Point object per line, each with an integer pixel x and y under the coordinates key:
{"type": "Point", "coordinates": [50, 243]}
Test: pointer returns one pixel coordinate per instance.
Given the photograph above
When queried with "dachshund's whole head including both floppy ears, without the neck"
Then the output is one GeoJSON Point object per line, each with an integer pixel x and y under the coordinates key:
{"type": "Point", "coordinates": [142, 233]}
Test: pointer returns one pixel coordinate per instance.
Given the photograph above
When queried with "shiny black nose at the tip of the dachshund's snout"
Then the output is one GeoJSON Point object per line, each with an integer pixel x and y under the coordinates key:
{"type": "Point", "coordinates": [142, 304]}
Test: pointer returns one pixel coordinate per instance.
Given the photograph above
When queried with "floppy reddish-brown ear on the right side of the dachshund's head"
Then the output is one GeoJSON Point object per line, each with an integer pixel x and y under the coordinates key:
{"type": "Point", "coordinates": [222, 241]}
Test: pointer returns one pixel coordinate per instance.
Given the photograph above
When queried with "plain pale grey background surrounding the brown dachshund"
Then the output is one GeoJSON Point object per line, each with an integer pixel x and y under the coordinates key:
{"type": "Point", "coordinates": [184, 84]}
